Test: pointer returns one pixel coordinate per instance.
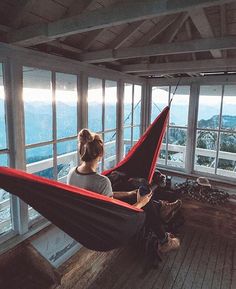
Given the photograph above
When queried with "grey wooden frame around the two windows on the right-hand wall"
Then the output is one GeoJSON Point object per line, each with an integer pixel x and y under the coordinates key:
{"type": "Point", "coordinates": [195, 84]}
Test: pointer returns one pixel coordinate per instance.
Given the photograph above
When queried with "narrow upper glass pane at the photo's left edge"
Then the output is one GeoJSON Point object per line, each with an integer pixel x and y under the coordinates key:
{"type": "Point", "coordinates": [3, 139]}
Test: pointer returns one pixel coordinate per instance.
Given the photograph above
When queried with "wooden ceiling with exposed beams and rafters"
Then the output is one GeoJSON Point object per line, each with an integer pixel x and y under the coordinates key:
{"type": "Point", "coordinates": [143, 37]}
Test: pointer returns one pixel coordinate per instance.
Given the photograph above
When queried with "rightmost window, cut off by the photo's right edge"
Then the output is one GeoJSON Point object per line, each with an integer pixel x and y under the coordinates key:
{"type": "Point", "coordinates": [216, 131]}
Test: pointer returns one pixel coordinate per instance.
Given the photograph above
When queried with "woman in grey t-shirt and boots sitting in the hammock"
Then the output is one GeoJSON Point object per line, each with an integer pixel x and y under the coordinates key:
{"type": "Point", "coordinates": [91, 150]}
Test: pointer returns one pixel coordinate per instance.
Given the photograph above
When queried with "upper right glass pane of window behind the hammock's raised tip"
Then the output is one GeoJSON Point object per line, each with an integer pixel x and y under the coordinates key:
{"type": "Point", "coordinates": [179, 106]}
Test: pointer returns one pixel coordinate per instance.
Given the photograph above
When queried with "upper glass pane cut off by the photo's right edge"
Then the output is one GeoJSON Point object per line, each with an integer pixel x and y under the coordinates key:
{"type": "Point", "coordinates": [229, 108]}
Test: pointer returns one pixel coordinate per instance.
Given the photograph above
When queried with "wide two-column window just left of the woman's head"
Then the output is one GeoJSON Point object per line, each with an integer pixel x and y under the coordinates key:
{"type": "Point", "coordinates": [50, 124]}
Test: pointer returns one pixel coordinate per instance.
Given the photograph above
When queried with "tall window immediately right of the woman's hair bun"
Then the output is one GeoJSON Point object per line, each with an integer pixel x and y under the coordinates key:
{"type": "Point", "coordinates": [102, 102]}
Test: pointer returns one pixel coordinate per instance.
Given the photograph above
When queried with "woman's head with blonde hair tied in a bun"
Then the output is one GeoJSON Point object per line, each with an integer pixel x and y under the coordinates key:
{"type": "Point", "coordinates": [90, 145]}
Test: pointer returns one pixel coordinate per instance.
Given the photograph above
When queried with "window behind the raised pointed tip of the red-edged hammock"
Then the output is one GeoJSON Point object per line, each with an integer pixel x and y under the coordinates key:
{"type": "Point", "coordinates": [173, 149]}
